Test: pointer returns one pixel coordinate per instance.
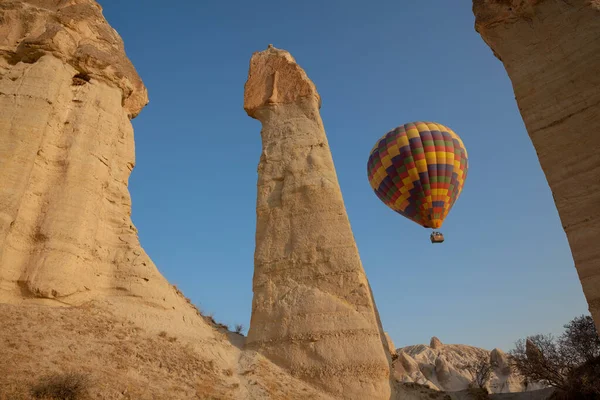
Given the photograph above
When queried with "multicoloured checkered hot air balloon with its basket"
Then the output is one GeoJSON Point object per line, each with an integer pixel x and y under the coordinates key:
{"type": "Point", "coordinates": [419, 170]}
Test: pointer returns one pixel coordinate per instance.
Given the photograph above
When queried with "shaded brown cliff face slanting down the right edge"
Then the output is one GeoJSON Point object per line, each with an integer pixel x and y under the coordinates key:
{"type": "Point", "coordinates": [551, 51]}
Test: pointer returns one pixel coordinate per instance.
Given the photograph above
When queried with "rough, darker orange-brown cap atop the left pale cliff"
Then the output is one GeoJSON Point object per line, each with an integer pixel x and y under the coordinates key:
{"type": "Point", "coordinates": [75, 32]}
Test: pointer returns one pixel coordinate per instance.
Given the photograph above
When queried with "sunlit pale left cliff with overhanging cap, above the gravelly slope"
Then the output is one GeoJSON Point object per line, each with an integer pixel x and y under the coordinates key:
{"type": "Point", "coordinates": [67, 93]}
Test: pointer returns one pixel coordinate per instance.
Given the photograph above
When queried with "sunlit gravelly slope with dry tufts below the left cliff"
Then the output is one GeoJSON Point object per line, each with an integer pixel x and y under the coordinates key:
{"type": "Point", "coordinates": [119, 360]}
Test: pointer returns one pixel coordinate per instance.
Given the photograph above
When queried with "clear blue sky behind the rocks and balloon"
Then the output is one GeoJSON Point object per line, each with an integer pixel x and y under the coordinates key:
{"type": "Point", "coordinates": [505, 271]}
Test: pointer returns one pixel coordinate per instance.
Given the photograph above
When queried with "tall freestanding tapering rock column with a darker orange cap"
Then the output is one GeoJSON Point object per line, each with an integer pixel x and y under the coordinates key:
{"type": "Point", "coordinates": [312, 312]}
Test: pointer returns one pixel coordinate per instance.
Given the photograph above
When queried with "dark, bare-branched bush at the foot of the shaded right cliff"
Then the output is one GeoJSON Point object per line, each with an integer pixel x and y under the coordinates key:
{"type": "Point", "coordinates": [556, 362]}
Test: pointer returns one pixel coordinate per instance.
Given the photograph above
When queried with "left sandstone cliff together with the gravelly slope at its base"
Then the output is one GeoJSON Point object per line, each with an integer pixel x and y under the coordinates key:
{"type": "Point", "coordinates": [77, 291]}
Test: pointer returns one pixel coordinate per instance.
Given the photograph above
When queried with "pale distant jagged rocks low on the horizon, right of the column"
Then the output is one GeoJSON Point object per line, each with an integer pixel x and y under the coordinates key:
{"type": "Point", "coordinates": [443, 367]}
